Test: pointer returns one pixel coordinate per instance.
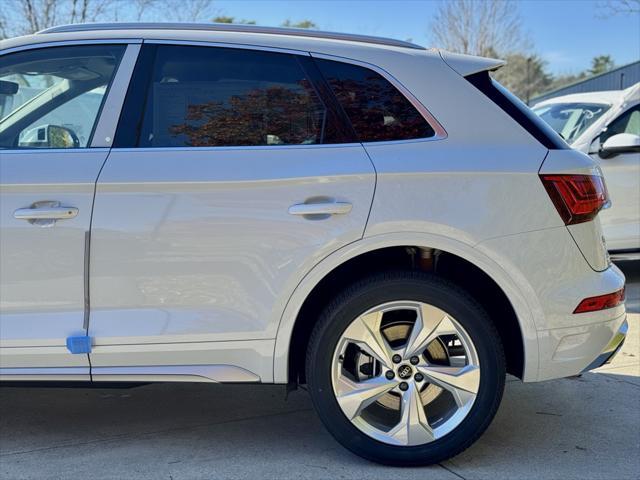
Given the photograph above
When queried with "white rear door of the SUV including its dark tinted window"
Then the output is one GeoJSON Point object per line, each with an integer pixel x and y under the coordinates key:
{"type": "Point", "coordinates": [239, 176]}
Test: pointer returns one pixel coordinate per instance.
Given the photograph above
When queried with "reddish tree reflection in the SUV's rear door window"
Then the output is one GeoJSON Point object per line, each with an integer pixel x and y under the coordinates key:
{"type": "Point", "coordinates": [272, 115]}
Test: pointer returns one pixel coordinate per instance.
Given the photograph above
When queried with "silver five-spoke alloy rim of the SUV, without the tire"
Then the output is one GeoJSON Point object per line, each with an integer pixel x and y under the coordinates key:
{"type": "Point", "coordinates": [405, 373]}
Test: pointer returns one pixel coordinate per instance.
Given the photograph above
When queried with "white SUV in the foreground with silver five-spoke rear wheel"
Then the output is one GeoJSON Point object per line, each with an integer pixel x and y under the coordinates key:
{"type": "Point", "coordinates": [383, 223]}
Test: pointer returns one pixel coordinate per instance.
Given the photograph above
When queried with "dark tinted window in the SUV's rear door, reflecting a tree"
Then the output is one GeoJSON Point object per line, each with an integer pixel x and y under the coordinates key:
{"type": "Point", "coordinates": [204, 96]}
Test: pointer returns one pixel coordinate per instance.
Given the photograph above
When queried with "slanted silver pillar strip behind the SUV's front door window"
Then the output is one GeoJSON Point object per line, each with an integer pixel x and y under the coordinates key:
{"type": "Point", "coordinates": [105, 129]}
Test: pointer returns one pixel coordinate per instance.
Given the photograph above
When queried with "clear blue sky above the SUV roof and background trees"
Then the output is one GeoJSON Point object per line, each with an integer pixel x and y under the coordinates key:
{"type": "Point", "coordinates": [567, 34]}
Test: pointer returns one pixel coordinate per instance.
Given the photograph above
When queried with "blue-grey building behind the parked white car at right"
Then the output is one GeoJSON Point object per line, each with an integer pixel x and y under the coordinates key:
{"type": "Point", "coordinates": [617, 79]}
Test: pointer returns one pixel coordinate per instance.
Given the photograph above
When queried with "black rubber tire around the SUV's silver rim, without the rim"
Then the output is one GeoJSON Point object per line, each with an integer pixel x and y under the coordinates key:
{"type": "Point", "coordinates": [422, 287]}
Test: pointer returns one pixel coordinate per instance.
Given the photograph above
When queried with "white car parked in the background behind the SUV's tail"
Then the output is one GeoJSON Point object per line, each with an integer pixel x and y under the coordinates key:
{"type": "Point", "coordinates": [606, 125]}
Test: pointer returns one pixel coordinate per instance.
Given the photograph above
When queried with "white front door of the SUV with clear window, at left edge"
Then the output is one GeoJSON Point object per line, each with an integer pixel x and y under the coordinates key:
{"type": "Point", "coordinates": [51, 98]}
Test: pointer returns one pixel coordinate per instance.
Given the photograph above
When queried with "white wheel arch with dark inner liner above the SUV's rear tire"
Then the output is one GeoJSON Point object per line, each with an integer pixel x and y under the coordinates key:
{"type": "Point", "coordinates": [385, 249]}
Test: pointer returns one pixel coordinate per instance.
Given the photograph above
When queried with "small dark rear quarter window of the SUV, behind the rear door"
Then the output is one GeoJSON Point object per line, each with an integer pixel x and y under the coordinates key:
{"type": "Point", "coordinates": [377, 110]}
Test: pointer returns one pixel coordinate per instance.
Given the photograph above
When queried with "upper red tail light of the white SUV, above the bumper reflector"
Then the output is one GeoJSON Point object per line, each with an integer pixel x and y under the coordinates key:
{"type": "Point", "coordinates": [578, 198]}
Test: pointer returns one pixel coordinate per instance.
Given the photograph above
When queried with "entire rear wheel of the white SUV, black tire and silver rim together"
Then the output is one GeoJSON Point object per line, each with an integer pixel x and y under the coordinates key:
{"type": "Point", "coordinates": [405, 369]}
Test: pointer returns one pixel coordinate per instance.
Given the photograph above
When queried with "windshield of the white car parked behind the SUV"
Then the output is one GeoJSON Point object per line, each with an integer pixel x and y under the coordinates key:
{"type": "Point", "coordinates": [571, 119]}
